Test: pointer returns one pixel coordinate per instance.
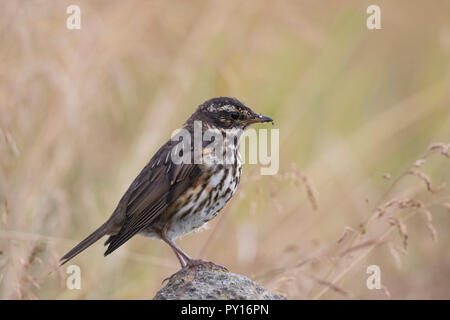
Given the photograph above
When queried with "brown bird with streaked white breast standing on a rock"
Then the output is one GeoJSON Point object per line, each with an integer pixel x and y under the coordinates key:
{"type": "Point", "coordinates": [170, 198]}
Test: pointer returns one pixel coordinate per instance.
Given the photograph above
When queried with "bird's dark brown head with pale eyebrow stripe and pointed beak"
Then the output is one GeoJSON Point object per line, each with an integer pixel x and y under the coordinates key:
{"type": "Point", "coordinates": [227, 113]}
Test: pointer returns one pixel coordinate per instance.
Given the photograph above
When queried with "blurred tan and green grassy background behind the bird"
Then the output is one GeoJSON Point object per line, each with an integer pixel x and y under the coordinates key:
{"type": "Point", "coordinates": [82, 111]}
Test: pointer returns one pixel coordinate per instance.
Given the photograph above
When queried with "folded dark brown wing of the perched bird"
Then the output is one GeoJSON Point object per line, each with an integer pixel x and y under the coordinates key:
{"type": "Point", "coordinates": [158, 184]}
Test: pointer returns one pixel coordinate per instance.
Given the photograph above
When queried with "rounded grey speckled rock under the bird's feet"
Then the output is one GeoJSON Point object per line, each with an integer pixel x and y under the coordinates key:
{"type": "Point", "coordinates": [208, 282]}
